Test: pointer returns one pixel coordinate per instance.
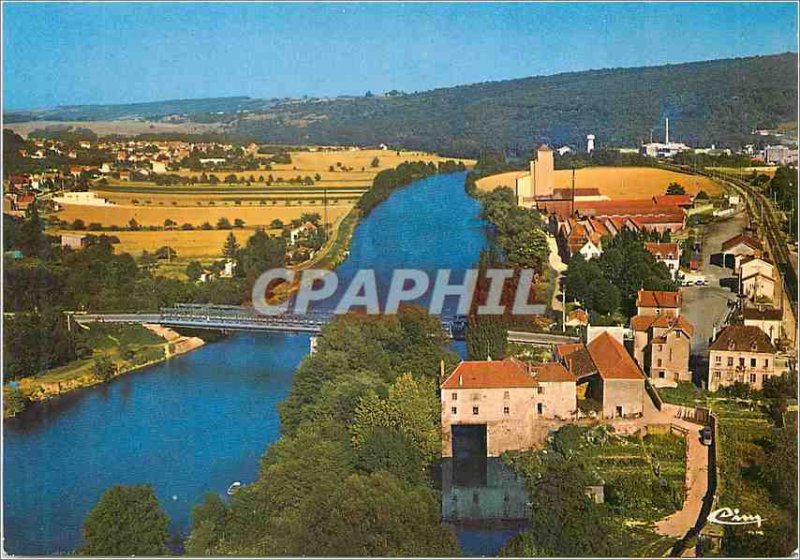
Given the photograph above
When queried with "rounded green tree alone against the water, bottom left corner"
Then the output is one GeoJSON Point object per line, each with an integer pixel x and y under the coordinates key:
{"type": "Point", "coordinates": [126, 521]}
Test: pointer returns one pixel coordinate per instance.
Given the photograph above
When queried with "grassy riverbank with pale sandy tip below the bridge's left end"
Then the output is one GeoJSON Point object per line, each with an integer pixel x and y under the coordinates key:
{"type": "Point", "coordinates": [128, 348]}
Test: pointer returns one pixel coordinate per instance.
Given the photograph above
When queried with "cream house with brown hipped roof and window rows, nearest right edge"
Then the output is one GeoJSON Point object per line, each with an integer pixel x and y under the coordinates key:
{"type": "Point", "coordinates": [742, 354]}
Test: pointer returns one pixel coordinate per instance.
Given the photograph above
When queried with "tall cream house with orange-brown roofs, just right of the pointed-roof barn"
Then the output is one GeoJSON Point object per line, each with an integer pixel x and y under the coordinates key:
{"type": "Point", "coordinates": [661, 347]}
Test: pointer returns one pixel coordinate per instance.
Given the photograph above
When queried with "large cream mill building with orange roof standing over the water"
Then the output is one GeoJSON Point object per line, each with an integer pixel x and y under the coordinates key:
{"type": "Point", "coordinates": [514, 404]}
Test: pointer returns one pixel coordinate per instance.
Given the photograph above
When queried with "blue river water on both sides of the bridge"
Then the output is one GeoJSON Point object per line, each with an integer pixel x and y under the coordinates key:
{"type": "Point", "coordinates": [196, 423]}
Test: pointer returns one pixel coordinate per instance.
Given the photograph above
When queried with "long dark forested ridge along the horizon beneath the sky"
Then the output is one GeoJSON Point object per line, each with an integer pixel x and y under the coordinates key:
{"type": "Point", "coordinates": [719, 101]}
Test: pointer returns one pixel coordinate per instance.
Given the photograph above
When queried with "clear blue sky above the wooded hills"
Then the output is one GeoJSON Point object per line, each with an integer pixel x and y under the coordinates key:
{"type": "Point", "coordinates": [98, 53]}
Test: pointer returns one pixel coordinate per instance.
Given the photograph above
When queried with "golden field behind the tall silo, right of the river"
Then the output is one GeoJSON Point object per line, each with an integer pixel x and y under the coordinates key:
{"type": "Point", "coordinates": [616, 182]}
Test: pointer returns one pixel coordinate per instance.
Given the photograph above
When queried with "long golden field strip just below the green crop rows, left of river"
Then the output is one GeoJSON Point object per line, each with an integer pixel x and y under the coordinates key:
{"type": "Point", "coordinates": [252, 213]}
